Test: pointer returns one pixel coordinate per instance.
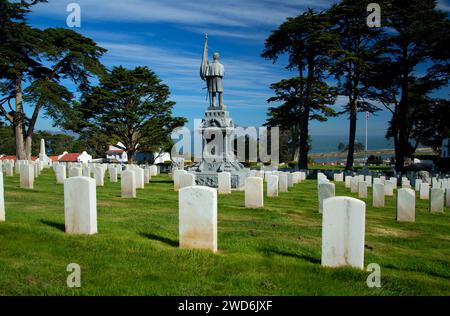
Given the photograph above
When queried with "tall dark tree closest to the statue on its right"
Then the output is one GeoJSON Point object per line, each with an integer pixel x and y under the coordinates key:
{"type": "Point", "coordinates": [306, 42]}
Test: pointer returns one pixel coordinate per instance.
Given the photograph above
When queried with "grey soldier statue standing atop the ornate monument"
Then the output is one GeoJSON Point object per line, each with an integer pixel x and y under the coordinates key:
{"type": "Point", "coordinates": [212, 73]}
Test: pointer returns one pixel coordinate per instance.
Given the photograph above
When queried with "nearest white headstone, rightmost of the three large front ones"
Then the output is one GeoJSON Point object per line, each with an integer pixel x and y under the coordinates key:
{"type": "Point", "coordinates": [343, 230]}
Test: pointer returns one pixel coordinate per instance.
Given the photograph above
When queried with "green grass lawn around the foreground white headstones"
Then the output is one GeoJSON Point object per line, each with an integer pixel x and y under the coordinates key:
{"type": "Point", "coordinates": [271, 251]}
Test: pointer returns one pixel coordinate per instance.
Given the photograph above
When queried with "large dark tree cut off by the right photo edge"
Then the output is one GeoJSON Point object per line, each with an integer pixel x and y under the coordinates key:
{"type": "Point", "coordinates": [417, 38]}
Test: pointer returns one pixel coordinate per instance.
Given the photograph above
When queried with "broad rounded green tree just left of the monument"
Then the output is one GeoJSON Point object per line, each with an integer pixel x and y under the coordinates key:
{"type": "Point", "coordinates": [128, 106]}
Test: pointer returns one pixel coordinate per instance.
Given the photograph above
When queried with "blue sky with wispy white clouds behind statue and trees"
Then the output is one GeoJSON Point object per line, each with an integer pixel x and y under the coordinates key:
{"type": "Point", "coordinates": [167, 36]}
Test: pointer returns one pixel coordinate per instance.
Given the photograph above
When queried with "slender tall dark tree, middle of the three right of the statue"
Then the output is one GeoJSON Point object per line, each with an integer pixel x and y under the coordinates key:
{"type": "Point", "coordinates": [351, 61]}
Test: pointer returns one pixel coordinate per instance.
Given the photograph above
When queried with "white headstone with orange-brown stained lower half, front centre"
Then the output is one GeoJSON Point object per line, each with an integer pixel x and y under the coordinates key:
{"type": "Point", "coordinates": [198, 218]}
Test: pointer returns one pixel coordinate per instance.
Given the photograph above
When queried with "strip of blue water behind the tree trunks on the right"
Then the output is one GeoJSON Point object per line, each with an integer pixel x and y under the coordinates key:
{"type": "Point", "coordinates": [329, 143]}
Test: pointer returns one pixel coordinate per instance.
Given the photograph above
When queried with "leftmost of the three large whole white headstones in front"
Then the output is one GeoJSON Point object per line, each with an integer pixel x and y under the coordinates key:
{"type": "Point", "coordinates": [80, 205]}
